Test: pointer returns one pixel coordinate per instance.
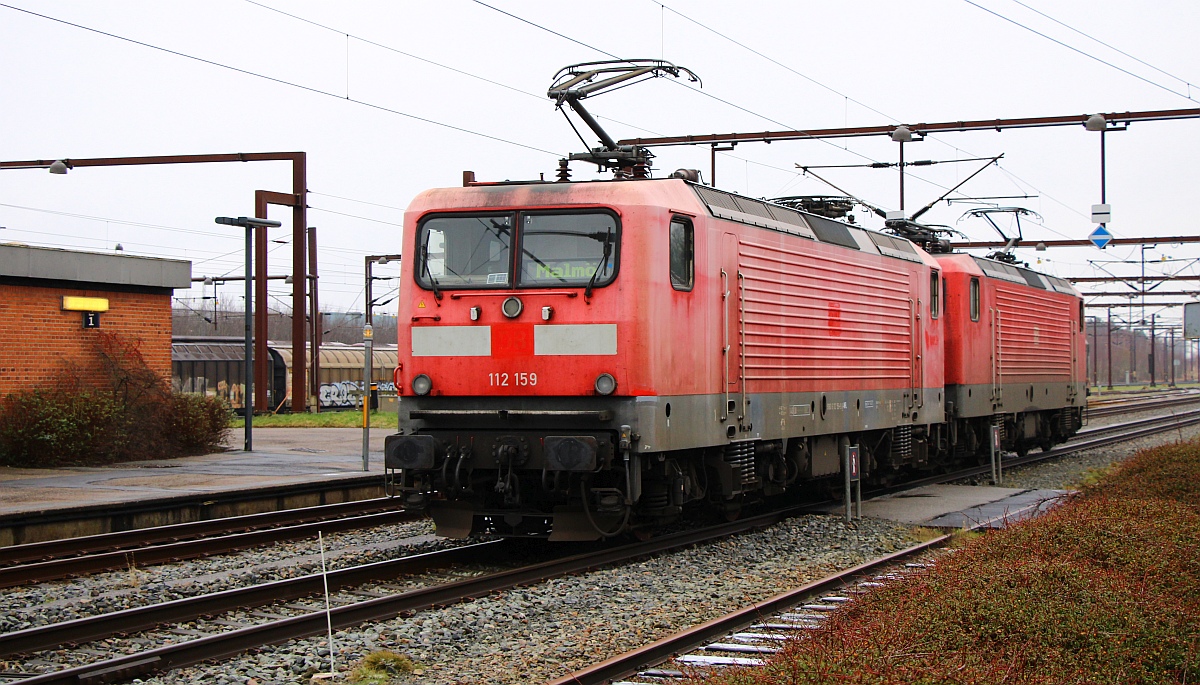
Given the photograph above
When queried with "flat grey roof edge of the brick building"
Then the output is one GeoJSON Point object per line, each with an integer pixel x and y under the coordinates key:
{"type": "Point", "coordinates": [93, 268]}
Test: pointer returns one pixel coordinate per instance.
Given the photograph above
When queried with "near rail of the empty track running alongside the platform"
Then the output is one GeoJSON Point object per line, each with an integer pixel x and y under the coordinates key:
{"type": "Point", "coordinates": [56, 569]}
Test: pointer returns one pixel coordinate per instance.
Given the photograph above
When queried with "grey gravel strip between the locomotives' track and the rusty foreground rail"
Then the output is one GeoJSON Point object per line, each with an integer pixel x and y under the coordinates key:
{"type": "Point", "coordinates": [536, 634]}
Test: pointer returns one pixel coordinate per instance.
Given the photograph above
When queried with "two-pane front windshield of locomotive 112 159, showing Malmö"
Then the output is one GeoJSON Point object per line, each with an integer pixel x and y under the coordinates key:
{"type": "Point", "coordinates": [556, 250]}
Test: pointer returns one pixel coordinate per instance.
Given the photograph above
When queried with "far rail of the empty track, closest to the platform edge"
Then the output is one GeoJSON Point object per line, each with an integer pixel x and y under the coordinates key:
{"type": "Point", "coordinates": [65, 548]}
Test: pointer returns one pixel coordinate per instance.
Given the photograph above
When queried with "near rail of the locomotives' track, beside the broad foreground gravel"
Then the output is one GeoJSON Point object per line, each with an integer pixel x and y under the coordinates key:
{"type": "Point", "coordinates": [383, 609]}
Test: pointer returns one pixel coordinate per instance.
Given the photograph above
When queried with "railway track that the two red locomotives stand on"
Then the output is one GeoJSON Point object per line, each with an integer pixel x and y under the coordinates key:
{"type": "Point", "coordinates": [353, 610]}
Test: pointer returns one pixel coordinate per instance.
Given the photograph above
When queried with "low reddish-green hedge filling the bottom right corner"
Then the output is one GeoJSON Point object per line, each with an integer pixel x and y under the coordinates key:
{"type": "Point", "coordinates": [1105, 590]}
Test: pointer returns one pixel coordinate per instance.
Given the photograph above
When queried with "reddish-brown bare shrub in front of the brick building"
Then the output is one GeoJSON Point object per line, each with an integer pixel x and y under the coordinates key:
{"type": "Point", "coordinates": [130, 416]}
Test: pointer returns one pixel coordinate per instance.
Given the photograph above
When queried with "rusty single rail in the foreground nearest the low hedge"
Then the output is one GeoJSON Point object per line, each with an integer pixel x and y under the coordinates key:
{"type": "Point", "coordinates": [633, 662]}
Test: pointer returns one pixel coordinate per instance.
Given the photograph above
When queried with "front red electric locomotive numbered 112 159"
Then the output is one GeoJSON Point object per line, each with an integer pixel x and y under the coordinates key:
{"type": "Point", "coordinates": [587, 358]}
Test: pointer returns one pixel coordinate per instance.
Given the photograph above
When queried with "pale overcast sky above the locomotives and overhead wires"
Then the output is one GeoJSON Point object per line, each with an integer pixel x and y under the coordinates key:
{"type": "Point", "coordinates": [389, 99]}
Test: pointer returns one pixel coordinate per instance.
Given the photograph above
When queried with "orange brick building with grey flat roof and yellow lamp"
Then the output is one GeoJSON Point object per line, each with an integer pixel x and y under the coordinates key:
{"type": "Point", "coordinates": [55, 304]}
